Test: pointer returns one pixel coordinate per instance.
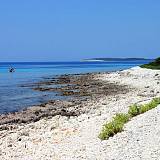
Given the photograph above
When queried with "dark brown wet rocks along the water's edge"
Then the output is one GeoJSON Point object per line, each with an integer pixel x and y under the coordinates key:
{"type": "Point", "coordinates": [80, 89]}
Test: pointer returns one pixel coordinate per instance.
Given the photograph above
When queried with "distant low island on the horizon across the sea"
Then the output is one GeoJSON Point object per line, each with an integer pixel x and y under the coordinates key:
{"type": "Point", "coordinates": [115, 59]}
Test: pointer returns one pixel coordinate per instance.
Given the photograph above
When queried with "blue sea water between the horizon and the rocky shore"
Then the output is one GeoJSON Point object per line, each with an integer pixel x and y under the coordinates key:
{"type": "Point", "coordinates": [14, 98]}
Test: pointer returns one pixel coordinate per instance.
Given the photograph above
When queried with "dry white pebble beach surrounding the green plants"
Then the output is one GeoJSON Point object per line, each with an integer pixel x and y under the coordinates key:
{"type": "Point", "coordinates": [76, 137]}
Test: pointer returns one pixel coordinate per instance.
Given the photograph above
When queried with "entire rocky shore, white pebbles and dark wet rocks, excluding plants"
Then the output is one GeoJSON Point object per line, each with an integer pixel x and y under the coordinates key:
{"type": "Point", "coordinates": [68, 130]}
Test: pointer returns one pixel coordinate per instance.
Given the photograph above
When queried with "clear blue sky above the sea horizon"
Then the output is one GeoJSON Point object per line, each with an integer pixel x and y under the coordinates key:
{"type": "Point", "coordinates": [71, 30]}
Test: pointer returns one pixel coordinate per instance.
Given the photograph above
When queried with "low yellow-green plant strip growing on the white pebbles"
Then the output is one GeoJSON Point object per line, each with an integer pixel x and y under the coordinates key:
{"type": "Point", "coordinates": [117, 124]}
